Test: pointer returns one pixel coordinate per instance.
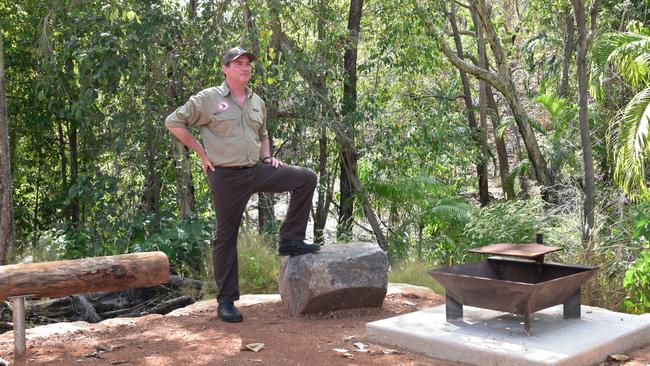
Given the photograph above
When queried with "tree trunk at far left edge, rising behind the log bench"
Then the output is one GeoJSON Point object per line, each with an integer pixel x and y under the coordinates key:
{"type": "Point", "coordinates": [6, 205]}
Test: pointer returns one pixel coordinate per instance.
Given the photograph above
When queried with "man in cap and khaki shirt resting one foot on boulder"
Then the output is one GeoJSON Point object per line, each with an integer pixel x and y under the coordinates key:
{"type": "Point", "coordinates": [238, 163]}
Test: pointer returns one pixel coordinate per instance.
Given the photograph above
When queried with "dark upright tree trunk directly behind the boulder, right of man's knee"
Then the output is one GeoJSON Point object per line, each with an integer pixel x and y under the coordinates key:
{"type": "Point", "coordinates": [348, 155]}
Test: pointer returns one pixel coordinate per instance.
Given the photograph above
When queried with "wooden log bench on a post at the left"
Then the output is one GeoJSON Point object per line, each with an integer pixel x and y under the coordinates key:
{"type": "Point", "coordinates": [79, 276]}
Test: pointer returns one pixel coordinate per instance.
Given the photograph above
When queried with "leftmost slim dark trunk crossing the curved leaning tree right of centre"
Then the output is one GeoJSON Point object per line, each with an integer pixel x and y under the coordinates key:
{"type": "Point", "coordinates": [478, 134]}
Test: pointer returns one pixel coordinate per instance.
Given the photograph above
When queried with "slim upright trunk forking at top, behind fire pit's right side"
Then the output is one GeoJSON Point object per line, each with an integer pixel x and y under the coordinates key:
{"type": "Point", "coordinates": [583, 117]}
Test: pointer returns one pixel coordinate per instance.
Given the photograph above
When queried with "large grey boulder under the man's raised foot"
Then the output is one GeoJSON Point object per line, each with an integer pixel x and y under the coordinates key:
{"type": "Point", "coordinates": [340, 276]}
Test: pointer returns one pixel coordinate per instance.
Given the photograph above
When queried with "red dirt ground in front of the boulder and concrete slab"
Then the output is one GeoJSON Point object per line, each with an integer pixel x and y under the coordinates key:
{"type": "Point", "coordinates": [199, 338]}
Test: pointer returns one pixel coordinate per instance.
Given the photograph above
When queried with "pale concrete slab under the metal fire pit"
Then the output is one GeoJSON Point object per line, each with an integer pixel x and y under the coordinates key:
{"type": "Point", "coordinates": [486, 337]}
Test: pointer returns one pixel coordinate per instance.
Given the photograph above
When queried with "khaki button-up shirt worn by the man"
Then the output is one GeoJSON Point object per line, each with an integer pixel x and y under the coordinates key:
{"type": "Point", "coordinates": [231, 134]}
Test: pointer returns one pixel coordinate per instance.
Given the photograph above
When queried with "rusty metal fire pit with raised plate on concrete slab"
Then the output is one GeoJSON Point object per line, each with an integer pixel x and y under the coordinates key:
{"type": "Point", "coordinates": [517, 286]}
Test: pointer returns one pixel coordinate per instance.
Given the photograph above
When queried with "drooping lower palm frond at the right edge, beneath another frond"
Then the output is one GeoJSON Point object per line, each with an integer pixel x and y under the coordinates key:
{"type": "Point", "coordinates": [628, 139]}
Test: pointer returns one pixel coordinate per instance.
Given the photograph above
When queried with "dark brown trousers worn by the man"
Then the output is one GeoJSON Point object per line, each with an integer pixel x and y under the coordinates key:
{"type": "Point", "coordinates": [231, 189]}
